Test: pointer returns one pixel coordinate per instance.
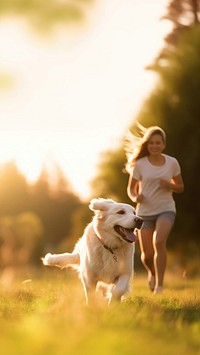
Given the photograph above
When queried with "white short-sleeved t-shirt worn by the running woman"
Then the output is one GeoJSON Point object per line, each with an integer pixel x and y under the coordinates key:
{"type": "Point", "coordinates": [156, 199]}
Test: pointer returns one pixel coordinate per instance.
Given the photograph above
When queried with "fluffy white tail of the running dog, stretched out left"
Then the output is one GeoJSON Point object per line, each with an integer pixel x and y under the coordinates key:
{"type": "Point", "coordinates": [62, 260]}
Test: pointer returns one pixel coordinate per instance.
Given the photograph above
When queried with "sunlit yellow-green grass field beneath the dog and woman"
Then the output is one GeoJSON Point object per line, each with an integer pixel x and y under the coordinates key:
{"type": "Point", "coordinates": [48, 315]}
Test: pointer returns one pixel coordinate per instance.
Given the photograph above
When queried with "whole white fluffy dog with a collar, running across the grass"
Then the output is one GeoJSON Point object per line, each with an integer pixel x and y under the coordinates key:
{"type": "Point", "coordinates": [105, 251]}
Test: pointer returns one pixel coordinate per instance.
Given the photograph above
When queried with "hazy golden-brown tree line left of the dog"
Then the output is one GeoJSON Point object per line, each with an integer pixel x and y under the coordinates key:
{"type": "Point", "coordinates": [38, 217]}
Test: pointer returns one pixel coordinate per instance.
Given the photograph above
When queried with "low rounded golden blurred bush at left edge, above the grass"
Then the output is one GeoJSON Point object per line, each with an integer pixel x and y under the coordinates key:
{"type": "Point", "coordinates": [21, 240]}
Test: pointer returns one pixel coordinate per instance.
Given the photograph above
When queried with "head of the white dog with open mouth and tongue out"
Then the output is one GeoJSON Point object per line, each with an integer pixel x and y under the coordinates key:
{"type": "Point", "coordinates": [115, 218]}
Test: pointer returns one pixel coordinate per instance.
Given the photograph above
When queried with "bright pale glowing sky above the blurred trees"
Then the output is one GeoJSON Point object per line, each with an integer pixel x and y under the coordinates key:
{"type": "Point", "coordinates": [74, 94]}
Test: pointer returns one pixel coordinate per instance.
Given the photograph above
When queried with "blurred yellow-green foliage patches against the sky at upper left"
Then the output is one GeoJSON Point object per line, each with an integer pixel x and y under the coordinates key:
{"type": "Point", "coordinates": [44, 17]}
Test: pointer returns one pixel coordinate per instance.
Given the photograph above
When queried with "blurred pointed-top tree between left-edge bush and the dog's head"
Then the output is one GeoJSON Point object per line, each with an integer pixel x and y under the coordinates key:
{"type": "Point", "coordinates": [55, 203]}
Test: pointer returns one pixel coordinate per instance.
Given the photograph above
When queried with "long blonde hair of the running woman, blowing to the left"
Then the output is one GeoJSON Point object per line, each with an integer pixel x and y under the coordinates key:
{"type": "Point", "coordinates": [136, 145]}
